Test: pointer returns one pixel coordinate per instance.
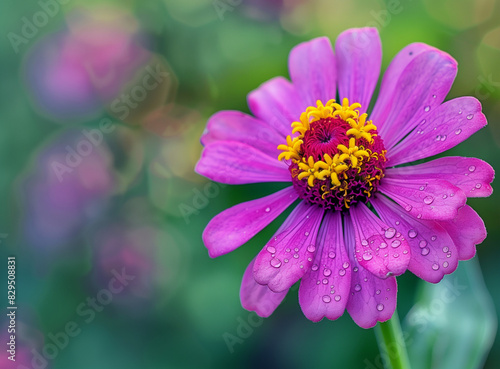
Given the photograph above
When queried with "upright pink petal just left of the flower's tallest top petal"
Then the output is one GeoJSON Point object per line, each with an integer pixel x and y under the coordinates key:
{"type": "Point", "coordinates": [312, 69]}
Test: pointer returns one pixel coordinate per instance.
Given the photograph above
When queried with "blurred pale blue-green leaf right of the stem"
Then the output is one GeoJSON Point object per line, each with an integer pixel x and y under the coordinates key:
{"type": "Point", "coordinates": [453, 324]}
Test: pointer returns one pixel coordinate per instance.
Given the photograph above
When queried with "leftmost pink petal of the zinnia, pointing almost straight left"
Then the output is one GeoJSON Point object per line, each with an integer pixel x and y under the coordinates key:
{"type": "Point", "coordinates": [234, 162]}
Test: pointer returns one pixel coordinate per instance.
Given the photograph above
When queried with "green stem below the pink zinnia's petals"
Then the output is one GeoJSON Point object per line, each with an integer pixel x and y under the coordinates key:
{"type": "Point", "coordinates": [390, 342]}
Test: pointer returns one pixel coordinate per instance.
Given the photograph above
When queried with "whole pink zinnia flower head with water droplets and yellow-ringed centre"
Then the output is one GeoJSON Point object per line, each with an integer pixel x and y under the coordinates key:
{"type": "Point", "coordinates": [365, 215]}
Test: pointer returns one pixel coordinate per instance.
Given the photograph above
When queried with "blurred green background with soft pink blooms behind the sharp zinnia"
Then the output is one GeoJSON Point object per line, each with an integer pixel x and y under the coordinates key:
{"type": "Point", "coordinates": [136, 81]}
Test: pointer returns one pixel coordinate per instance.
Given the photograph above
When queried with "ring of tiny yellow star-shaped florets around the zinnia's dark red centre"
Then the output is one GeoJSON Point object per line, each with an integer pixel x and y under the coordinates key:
{"type": "Point", "coordinates": [333, 168]}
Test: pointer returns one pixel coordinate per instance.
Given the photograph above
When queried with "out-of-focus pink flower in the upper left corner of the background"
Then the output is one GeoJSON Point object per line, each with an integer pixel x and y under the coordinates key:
{"type": "Point", "coordinates": [72, 74]}
